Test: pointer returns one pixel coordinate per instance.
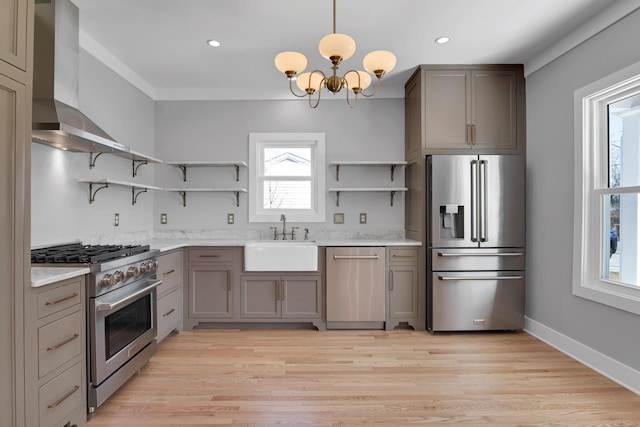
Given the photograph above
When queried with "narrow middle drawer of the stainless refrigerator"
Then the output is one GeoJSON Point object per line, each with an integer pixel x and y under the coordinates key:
{"type": "Point", "coordinates": [448, 259]}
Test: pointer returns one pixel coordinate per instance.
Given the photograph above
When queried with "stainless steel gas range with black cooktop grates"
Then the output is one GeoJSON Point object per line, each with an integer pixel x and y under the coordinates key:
{"type": "Point", "coordinates": [121, 310]}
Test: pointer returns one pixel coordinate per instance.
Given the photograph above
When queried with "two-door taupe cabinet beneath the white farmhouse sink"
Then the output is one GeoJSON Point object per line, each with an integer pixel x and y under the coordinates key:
{"type": "Point", "coordinates": [281, 297]}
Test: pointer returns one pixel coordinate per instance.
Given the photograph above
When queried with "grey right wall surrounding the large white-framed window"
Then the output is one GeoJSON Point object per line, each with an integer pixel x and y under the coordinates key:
{"type": "Point", "coordinates": [550, 184]}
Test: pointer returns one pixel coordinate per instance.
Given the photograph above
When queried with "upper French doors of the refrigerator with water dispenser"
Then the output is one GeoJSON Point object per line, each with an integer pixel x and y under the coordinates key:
{"type": "Point", "coordinates": [476, 201]}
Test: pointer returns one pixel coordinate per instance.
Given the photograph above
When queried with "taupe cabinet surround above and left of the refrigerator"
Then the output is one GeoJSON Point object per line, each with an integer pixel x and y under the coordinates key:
{"type": "Point", "coordinates": [457, 109]}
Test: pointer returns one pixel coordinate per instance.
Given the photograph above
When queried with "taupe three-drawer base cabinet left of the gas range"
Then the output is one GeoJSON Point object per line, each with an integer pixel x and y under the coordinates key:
{"type": "Point", "coordinates": [55, 344]}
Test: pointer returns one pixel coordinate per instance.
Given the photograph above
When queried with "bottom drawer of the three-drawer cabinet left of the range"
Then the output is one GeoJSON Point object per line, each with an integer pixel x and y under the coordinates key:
{"type": "Point", "coordinates": [60, 396]}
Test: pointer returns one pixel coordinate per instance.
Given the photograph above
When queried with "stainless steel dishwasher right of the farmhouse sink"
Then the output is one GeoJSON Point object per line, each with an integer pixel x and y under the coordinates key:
{"type": "Point", "coordinates": [355, 287]}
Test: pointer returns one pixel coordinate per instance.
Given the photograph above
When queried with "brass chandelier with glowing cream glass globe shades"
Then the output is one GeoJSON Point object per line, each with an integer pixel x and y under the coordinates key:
{"type": "Point", "coordinates": [335, 47]}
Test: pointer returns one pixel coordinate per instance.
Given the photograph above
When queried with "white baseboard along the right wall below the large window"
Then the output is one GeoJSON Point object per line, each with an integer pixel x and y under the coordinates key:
{"type": "Point", "coordinates": [622, 374]}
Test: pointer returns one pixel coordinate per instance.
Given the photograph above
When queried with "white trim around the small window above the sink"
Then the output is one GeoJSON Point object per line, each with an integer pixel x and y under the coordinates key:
{"type": "Point", "coordinates": [257, 142]}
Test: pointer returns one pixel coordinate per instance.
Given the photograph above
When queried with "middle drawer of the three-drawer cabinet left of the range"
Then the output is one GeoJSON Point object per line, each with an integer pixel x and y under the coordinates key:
{"type": "Point", "coordinates": [59, 342]}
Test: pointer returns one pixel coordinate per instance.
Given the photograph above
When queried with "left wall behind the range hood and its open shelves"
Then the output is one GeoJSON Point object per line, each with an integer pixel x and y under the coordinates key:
{"type": "Point", "coordinates": [60, 206]}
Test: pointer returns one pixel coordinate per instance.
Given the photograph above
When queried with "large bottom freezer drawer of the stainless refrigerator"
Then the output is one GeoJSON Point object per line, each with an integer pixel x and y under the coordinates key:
{"type": "Point", "coordinates": [468, 301]}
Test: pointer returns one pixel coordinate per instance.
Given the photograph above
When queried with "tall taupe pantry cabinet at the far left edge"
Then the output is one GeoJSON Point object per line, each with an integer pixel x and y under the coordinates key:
{"type": "Point", "coordinates": [16, 70]}
